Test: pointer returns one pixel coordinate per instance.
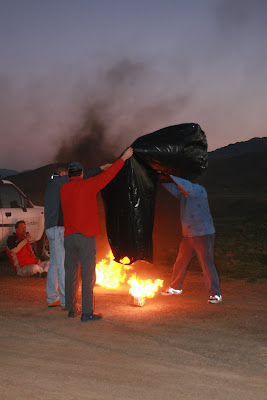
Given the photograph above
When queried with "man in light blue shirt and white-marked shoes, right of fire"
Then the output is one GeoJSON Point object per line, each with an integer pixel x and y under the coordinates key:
{"type": "Point", "coordinates": [198, 237]}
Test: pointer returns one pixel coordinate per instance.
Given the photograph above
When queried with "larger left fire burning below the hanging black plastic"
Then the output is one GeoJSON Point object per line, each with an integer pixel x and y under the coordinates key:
{"type": "Point", "coordinates": [109, 273]}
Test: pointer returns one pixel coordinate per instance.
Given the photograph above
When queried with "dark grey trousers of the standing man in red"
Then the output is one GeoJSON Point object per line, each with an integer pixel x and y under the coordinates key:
{"type": "Point", "coordinates": [79, 250]}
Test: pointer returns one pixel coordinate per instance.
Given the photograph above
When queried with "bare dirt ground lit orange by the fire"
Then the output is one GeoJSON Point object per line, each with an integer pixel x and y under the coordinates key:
{"type": "Point", "coordinates": [175, 347]}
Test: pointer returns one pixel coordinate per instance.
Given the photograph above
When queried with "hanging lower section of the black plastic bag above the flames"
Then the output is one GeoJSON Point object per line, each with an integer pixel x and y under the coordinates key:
{"type": "Point", "coordinates": [129, 201]}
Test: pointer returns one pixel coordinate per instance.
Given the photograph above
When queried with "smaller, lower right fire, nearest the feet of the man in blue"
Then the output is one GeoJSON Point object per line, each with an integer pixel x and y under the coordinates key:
{"type": "Point", "coordinates": [143, 288]}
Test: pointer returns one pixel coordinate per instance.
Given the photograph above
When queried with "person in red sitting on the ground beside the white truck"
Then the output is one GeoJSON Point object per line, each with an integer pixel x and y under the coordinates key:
{"type": "Point", "coordinates": [21, 255]}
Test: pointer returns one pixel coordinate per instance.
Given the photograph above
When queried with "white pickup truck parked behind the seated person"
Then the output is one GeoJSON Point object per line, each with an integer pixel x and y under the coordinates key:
{"type": "Point", "coordinates": [15, 206]}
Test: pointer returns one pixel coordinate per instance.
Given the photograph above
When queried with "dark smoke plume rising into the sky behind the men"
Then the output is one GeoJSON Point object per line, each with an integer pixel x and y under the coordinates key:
{"type": "Point", "coordinates": [115, 114]}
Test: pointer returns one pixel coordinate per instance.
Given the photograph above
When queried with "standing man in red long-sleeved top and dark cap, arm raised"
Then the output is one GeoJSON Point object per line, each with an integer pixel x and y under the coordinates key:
{"type": "Point", "coordinates": [79, 206]}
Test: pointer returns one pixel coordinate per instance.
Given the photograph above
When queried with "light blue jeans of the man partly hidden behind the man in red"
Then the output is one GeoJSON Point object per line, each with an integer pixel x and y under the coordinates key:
{"type": "Point", "coordinates": [55, 284]}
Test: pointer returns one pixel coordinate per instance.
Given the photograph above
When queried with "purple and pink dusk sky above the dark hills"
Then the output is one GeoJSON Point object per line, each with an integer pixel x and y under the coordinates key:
{"type": "Point", "coordinates": [132, 67]}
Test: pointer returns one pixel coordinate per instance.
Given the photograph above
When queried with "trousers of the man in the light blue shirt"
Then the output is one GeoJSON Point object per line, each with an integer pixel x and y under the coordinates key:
{"type": "Point", "coordinates": [203, 248]}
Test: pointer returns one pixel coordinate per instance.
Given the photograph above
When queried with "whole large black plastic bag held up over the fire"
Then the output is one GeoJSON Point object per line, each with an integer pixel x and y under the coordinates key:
{"type": "Point", "coordinates": [129, 199]}
